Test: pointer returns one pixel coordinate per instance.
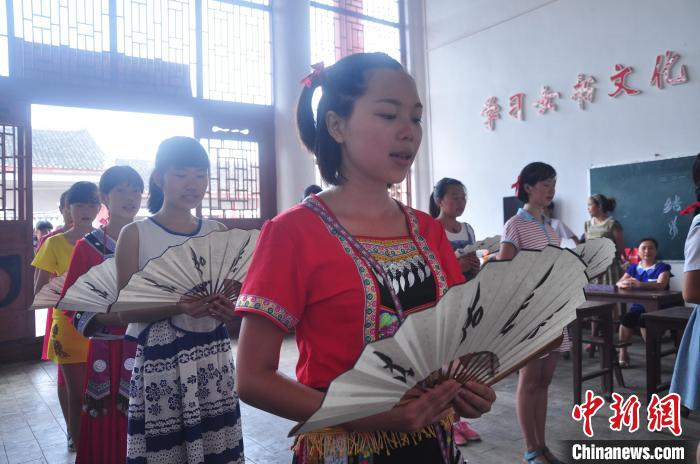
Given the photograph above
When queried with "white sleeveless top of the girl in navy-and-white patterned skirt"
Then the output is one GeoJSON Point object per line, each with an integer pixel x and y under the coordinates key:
{"type": "Point", "coordinates": [154, 239]}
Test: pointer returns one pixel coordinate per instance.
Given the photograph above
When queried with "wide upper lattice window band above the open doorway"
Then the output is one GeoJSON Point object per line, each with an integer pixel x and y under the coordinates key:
{"type": "Point", "coordinates": [211, 49]}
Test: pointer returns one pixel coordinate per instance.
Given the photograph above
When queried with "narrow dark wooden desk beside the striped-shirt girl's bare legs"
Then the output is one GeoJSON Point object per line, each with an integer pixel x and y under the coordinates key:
{"type": "Point", "coordinates": [603, 311]}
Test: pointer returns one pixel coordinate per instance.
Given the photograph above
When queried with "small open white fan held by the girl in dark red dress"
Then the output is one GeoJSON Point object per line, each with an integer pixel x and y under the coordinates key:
{"type": "Point", "coordinates": [93, 291]}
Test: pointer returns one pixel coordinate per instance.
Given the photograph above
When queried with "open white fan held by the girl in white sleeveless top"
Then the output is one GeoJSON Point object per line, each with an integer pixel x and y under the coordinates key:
{"type": "Point", "coordinates": [201, 266]}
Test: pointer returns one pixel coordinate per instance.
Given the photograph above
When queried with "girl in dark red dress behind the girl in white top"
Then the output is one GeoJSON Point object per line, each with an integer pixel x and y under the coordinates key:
{"type": "Point", "coordinates": [103, 420]}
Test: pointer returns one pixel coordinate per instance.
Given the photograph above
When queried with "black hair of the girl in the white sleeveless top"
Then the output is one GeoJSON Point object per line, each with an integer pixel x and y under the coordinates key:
{"type": "Point", "coordinates": [175, 152]}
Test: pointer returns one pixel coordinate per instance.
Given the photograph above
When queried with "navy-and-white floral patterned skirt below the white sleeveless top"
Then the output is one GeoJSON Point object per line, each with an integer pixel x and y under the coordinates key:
{"type": "Point", "coordinates": [183, 407]}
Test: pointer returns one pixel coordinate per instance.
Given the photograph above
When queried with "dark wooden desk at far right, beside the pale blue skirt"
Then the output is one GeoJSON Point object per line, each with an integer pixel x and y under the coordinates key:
{"type": "Point", "coordinates": [657, 323]}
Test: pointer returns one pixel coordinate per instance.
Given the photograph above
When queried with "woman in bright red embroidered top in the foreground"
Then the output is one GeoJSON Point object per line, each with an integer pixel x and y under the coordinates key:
{"type": "Point", "coordinates": [341, 268]}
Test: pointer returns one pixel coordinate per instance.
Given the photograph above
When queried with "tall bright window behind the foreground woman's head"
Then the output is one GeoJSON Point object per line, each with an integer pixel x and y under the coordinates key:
{"type": "Point", "coordinates": [343, 27]}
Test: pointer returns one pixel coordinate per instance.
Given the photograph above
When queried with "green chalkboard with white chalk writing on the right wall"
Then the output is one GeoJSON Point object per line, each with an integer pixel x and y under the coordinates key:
{"type": "Point", "coordinates": [649, 196]}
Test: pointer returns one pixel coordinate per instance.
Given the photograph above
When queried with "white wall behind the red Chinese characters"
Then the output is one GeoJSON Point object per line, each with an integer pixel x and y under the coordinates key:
{"type": "Point", "coordinates": [486, 48]}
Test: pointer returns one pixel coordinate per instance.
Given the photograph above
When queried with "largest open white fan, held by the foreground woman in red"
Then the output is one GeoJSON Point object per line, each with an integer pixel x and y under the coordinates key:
{"type": "Point", "coordinates": [481, 330]}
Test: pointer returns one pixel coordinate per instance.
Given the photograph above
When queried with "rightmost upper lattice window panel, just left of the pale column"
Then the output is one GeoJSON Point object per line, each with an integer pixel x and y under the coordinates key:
{"type": "Point", "coordinates": [236, 47]}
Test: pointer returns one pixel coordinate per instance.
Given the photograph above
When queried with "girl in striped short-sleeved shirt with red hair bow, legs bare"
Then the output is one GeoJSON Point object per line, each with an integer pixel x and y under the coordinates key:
{"type": "Point", "coordinates": [529, 229]}
